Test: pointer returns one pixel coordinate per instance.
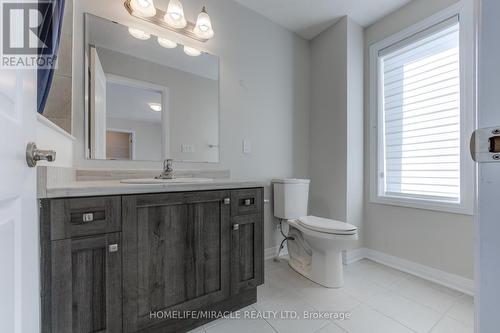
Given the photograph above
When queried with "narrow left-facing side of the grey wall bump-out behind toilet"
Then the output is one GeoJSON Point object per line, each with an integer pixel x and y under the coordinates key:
{"type": "Point", "coordinates": [328, 117]}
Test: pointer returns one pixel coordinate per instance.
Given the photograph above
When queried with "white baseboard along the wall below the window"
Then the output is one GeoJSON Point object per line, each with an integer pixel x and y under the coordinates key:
{"type": "Point", "coordinates": [449, 280]}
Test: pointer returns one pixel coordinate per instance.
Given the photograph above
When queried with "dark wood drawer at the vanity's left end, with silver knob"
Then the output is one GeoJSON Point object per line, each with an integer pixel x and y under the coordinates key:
{"type": "Point", "coordinates": [78, 217]}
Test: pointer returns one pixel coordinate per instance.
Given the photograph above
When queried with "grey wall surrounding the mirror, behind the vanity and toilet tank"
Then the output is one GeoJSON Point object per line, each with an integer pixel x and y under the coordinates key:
{"type": "Point", "coordinates": [264, 92]}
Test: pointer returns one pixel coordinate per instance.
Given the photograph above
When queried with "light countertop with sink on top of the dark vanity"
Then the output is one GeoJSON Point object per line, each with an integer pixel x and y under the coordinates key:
{"type": "Point", "coordinates": [114, 187]}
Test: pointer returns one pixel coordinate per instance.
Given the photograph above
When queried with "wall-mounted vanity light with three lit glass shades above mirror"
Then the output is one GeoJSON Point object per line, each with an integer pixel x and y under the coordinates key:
{"type": "Point", "coordinates": [173, 19]}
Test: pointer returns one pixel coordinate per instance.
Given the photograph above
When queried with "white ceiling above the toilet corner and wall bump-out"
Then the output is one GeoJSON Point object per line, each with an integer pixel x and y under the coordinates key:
{"type": "Point", "coordinates": [310, 17]}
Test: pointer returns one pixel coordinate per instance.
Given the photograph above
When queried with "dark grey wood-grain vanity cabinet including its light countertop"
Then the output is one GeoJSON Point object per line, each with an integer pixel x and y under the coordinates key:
{"type": "Point", "coordinates": [134, 258]}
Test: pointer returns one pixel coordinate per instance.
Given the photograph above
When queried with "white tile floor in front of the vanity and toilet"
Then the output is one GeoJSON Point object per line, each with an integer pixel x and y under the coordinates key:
{"type": "Point", "coordinates": [379, 299]}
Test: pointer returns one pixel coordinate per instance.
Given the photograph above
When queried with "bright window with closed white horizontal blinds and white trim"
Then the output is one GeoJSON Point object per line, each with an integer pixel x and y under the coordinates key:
{"type": "Point", "coordinates": [419, 122]}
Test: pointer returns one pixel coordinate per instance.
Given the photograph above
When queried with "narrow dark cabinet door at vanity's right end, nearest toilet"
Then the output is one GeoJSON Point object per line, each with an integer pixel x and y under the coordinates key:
{"type": "Point", "coordinates": [247, 264]}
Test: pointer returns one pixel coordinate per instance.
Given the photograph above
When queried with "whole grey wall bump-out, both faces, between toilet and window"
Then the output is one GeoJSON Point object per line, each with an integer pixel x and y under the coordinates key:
{"type": "Point", "coordinates": [336, 128]}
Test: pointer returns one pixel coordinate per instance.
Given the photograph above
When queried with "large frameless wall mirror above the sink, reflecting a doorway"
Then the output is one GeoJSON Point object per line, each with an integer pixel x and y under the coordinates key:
{"type": "Point", "coordinates": [148, 102]}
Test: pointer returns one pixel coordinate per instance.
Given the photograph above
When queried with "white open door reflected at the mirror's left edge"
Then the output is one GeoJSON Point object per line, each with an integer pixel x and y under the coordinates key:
{"type": "Point", "coordinates": [97, 107]}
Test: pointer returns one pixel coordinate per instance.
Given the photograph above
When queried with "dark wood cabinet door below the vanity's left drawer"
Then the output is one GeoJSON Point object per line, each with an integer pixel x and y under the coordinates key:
{"type": "Point", "coordinates": [86, 284]}
